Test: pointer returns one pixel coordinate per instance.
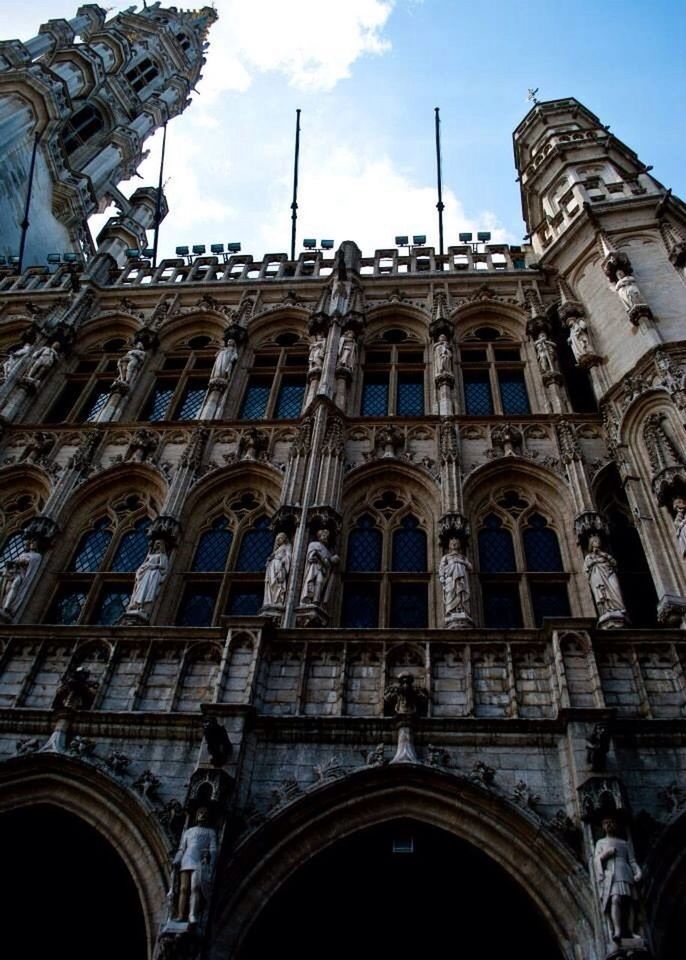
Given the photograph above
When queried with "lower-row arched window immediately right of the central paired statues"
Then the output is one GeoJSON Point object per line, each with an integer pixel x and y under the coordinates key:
{"type": "Point", "coordinates": [386, 579]}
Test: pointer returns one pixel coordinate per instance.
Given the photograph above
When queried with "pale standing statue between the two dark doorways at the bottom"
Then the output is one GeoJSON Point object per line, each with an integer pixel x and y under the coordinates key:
{"type": "Point", "coordinates": [192, 869]}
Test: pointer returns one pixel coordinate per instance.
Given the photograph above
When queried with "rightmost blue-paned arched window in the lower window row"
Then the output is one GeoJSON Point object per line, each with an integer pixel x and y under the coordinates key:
{"type": "Point", "coordinates": [520, 566]}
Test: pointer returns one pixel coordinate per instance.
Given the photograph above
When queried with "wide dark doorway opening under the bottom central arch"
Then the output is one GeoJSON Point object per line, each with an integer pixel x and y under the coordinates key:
{"type": "Point", "coordinates": [401, 888]}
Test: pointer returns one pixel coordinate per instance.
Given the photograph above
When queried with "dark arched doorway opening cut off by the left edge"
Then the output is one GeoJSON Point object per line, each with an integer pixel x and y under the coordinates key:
{"type": "Point", "coordinates": [68, 893]}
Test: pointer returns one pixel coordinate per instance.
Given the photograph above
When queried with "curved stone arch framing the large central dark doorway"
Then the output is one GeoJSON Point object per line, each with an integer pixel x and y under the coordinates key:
{"type": "Point", "coordinates": [522, 855]}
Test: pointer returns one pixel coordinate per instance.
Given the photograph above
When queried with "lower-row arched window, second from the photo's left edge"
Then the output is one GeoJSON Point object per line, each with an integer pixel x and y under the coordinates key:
{"type": "Point", "coordinates": [96, 586]}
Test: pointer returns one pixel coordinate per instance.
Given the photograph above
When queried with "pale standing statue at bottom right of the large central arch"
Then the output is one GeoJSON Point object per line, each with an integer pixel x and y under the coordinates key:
{"type": "Point", "coordinates": [617, 874]}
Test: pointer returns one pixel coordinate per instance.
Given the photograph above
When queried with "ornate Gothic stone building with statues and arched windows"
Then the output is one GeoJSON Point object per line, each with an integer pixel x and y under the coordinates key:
{"type": "Point", "coordinates": [343, 598]}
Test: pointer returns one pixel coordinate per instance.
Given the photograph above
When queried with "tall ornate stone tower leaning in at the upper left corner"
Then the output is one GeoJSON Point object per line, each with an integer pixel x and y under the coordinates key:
{"type": "Point", "coordinates": [86, 94]}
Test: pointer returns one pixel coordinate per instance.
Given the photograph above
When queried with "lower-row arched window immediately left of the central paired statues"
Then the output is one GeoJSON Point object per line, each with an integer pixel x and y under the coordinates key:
{"type": "Point", "coordinates": [226, 575]}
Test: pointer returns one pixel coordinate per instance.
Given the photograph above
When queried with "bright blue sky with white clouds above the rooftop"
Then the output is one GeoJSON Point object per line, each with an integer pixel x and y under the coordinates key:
{"type": "Point", "coordinates": [367, 75]}
